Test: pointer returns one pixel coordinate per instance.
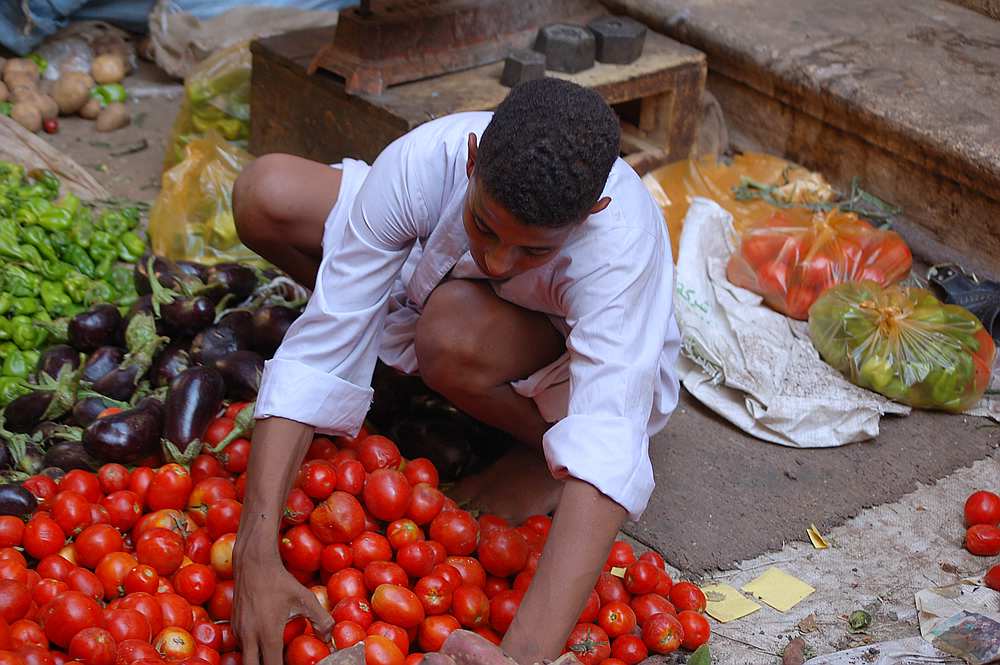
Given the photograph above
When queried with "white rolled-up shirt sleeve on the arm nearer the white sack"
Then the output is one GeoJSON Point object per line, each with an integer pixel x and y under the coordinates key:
{"type": "Point", "coordinates": [619, 315]}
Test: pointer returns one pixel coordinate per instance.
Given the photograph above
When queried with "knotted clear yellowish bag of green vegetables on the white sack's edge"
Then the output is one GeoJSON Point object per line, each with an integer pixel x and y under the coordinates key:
{"type": "Point", "coordinates": [905, 344]}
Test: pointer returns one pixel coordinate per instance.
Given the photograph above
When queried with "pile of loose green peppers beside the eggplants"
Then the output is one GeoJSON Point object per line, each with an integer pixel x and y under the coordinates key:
{"type": "Point", "coordinates": [58, 257]}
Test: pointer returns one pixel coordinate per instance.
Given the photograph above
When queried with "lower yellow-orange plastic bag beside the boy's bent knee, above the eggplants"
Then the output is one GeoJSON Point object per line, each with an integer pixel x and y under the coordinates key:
{"type": "Point", "coordinates": [192, 219]}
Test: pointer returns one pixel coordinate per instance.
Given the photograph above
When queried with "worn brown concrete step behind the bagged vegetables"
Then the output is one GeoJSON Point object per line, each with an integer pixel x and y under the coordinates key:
{"type": "Point", "coordinates": [902, 93]}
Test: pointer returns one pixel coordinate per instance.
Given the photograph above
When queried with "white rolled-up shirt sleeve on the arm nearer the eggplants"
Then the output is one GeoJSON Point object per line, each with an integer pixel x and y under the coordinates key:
{"type": "Point", "coordinates": [321, 374]}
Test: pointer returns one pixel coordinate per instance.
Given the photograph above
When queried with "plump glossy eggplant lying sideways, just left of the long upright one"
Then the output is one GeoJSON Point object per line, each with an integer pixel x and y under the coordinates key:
{"type": "Point", "coordinates": [123, 437]}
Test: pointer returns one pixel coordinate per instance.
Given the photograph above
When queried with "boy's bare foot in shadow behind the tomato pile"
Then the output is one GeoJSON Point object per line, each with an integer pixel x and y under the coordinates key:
{"type": "Point", "coordinates": [518, 486]}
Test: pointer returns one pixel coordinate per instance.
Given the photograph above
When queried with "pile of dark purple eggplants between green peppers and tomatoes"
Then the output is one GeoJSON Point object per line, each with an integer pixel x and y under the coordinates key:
{"type": "Point", "coordinates": [160, 371]}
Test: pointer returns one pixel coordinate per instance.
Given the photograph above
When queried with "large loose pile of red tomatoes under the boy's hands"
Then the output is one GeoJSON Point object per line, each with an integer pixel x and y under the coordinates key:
{"type": "Point", "coordinates": [135, 567]}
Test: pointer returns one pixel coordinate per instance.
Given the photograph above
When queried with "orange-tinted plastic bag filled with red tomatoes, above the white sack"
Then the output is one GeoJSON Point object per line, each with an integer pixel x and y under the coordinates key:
{"type": "Point", "coordinates": [794, 256]}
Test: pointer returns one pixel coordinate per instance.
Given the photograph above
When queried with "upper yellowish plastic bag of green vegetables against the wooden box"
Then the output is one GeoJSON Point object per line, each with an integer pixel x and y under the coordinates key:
{"type": "Point", "coordinates": [216, 98]}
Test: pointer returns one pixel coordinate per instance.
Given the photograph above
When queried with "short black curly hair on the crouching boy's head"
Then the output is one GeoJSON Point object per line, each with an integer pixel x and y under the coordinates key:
{"type": "Point", "coordinates": [547, 152]}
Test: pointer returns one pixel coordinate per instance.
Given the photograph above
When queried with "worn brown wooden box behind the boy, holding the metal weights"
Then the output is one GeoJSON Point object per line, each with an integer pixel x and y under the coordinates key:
{"type": "Point", "coordinates": [658, 98]}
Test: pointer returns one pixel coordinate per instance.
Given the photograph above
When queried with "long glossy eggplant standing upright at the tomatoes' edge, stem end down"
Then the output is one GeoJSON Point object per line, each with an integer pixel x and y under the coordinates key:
{"type": "Point", "coordinates": [192, 403]}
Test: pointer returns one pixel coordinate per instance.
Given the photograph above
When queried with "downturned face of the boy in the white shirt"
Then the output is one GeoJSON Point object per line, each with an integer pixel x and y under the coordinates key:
{"type": "Point", "coordinates": [501, 245]}
